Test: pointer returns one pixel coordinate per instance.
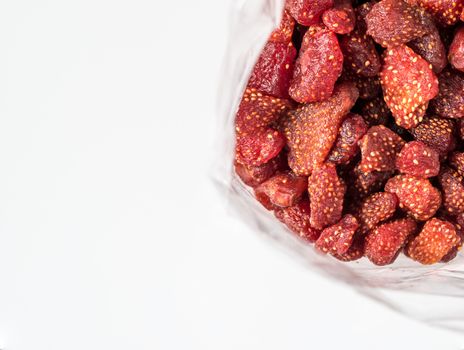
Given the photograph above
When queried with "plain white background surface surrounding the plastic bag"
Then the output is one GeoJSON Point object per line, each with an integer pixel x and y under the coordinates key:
{"type": "Point", "coordinates": [111, 234]}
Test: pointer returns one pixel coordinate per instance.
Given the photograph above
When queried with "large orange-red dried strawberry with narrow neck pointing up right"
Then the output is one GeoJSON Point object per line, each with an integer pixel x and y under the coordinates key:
{"type": "Point", "coordinates": [312, 130]}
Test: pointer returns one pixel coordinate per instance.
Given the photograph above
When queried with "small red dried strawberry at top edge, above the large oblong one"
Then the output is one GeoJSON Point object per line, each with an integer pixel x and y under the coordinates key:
{"type": "Point", "coordinates": [340, 19]}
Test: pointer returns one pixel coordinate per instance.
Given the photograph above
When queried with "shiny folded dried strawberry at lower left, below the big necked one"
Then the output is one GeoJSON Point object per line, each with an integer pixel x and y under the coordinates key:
{"type": "Point", "coordinates": [281, 190]}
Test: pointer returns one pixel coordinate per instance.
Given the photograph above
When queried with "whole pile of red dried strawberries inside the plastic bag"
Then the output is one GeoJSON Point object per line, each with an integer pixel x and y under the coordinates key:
{"type": "Point", "coordinates": [351, 128]}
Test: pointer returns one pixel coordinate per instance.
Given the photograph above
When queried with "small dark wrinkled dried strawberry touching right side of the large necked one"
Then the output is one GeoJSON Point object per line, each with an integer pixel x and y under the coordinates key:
{"type": "Point", "coordinates": [346, 146]}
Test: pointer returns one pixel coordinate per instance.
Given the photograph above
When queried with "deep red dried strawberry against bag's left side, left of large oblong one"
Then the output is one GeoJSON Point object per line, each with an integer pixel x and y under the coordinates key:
{"type": "Point", "coordinates": [274, 69]}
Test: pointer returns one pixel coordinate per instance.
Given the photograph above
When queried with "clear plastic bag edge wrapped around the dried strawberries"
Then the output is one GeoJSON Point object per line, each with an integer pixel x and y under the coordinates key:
{"type": "Point", "coordinates": [429, 293]}
